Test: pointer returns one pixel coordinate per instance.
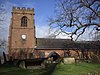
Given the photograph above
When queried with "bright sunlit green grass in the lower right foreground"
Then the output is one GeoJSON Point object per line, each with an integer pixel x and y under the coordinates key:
{"type": "Point", "coordinates": [76, 69]}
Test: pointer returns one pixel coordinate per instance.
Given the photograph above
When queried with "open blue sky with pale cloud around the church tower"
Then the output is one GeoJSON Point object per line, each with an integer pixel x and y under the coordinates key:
{"type": "Point", "coordinates": [43, 10]}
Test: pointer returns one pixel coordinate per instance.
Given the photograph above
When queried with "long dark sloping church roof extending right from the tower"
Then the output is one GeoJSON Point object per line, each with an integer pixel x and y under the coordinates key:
{"type": "Point", "coordinates": [50, 43]}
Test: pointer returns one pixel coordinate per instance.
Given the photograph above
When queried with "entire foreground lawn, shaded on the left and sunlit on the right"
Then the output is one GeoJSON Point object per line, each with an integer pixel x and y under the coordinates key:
{"type": "Point", "coordinates": [61, 69]}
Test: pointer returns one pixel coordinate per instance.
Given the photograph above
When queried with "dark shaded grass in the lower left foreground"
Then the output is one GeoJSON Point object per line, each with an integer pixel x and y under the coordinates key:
{"type": "Point", "coordinates": [11, 70]}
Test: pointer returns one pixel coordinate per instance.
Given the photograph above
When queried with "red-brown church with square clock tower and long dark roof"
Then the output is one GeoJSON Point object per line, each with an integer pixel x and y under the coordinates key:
{"type": "Point", "coordinates": [23, 44]}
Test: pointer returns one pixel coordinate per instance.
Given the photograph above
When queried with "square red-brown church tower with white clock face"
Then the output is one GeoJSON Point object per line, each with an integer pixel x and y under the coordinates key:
{"type": "Point", "coordinates": [21, 31]}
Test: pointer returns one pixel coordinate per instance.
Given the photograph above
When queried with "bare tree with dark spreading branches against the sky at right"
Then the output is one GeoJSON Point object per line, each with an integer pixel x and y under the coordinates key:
{"type": "Point", "coordinates": [73, 17]}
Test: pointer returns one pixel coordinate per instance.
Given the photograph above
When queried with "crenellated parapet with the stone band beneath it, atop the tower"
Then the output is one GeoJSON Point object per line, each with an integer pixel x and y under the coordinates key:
{"type": "Point", "coordinates": [22, 10]}
